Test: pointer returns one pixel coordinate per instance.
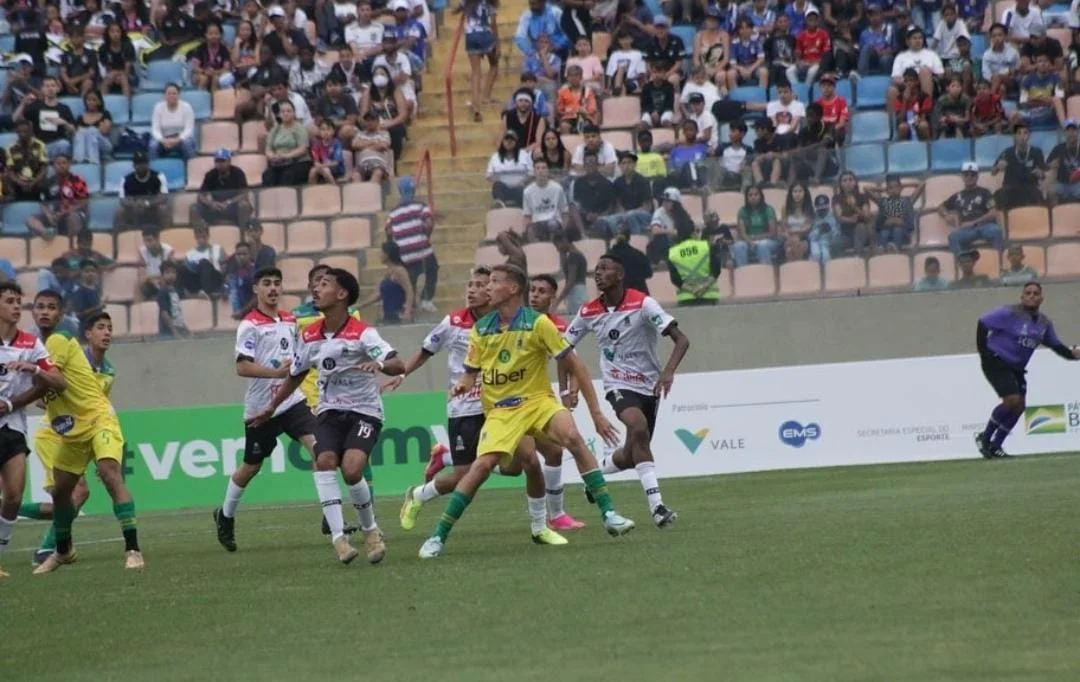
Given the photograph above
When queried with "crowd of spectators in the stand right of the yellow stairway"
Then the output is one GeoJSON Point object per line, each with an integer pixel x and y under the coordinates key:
{"type": "Point", "coordinates": [693, 97]}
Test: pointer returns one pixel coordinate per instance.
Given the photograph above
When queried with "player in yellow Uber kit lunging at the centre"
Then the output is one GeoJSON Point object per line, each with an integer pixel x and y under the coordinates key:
{"type": "Point", "coordinates": [509, 351]}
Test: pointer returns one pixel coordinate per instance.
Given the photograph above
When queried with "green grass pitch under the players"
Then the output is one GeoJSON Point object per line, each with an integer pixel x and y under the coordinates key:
{"type": "Point", "coordinates": [963, 571]}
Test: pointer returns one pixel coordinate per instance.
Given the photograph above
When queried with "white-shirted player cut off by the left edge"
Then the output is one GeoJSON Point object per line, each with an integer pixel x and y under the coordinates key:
{"type": "Point", "coordinates": [26, 373]}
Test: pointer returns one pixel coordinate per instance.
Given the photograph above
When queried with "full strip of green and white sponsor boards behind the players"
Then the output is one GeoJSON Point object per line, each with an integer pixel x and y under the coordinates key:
{"type": "Point", "coordinates": [857, 413]}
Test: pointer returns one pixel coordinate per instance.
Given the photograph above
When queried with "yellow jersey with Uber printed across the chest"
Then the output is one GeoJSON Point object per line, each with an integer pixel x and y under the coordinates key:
{"type": "Point", "coordinates": [514, 362]}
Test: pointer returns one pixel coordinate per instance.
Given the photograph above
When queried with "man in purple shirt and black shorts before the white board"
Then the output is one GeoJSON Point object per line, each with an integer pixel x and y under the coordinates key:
{"type": "Point", "coordinates": [1007, 338]}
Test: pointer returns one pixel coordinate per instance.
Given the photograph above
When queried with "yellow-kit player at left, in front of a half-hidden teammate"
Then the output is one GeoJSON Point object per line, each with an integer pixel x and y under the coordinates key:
{"type": "Point", "coordinates": [89, 430]}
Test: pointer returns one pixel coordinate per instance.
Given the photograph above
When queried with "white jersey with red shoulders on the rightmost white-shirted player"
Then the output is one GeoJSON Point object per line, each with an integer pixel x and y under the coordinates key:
{"type": "Point", "coordinates": [627, 337]}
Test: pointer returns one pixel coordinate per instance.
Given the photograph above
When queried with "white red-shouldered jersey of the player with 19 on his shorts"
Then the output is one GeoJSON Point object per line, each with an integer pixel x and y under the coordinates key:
{"type": "Point", "coordinates": [335, 356]}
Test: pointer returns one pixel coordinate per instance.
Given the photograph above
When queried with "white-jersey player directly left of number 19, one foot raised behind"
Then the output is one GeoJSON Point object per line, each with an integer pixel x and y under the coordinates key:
{"type": "Point", "coordinates": [265, 343]}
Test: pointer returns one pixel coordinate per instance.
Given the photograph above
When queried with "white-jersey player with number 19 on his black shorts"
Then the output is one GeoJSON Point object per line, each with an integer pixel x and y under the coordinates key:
{"type": "Point", "coordinates": [349, 414]}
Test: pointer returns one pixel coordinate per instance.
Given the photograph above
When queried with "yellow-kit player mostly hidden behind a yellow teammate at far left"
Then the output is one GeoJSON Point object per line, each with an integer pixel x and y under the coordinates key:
{"type": "Point", "coordinates": [47, 443]}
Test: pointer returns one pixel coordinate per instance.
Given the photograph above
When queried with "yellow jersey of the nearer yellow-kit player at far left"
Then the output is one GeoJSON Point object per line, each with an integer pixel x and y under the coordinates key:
{"type": "Point", "coordinates": [74, 412]}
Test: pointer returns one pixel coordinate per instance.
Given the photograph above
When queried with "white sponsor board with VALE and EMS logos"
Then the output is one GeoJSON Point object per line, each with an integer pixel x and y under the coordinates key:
{"type": "Point", "coordinates": [890, 411]}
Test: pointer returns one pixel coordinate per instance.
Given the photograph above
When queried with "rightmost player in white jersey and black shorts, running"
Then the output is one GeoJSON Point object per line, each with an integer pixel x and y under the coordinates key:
{"type": "Point", "coordinates": [628, 326]}
